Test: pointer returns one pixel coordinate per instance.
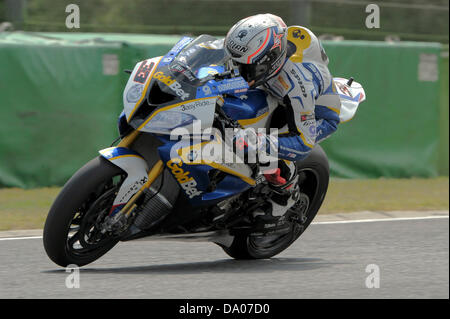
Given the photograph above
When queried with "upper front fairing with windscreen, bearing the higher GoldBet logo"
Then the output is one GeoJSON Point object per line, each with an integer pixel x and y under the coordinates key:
{"type": "Point", "coordinates": [174, 91]}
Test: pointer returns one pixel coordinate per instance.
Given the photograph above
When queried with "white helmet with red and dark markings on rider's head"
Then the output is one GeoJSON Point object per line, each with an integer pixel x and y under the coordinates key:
{"type": "Point", "coordinates": [258, 44]}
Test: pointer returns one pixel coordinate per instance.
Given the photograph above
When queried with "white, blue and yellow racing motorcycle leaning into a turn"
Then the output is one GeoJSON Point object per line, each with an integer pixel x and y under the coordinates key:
{"type": "Point", "coordinates": [155, 187]}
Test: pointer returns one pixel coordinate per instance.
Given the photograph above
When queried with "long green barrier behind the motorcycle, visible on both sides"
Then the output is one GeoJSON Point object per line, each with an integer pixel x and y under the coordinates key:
{"type": "Point", "coordinates": [61, 93]}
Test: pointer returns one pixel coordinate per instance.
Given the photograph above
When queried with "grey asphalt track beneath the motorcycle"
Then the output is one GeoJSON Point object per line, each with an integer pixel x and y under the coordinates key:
{"type": "Point", "coordinates": [328, 261]}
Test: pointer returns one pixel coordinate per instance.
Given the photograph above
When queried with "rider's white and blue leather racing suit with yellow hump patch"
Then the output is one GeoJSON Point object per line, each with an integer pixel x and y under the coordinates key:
{"type": "Point", "coordinates": [305, 87]}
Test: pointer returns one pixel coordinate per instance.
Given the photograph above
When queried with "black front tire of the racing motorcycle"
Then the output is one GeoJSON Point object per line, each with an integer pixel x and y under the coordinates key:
{"type": "Point", "coordinates": [79, 198]}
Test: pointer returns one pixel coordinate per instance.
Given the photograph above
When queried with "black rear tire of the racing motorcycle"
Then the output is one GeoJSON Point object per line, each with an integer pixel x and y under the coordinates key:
{"type": "Point", "coordinates": [315, 173]}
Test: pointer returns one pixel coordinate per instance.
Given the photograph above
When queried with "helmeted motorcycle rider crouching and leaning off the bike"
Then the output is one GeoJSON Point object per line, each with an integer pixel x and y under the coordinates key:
{"type": "Point", "coordinates": [291, 64]}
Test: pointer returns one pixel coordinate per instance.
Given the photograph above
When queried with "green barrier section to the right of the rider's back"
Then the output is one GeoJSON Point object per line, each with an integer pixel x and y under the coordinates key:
{"type": "Point", "coordinates": [395, 133]}
